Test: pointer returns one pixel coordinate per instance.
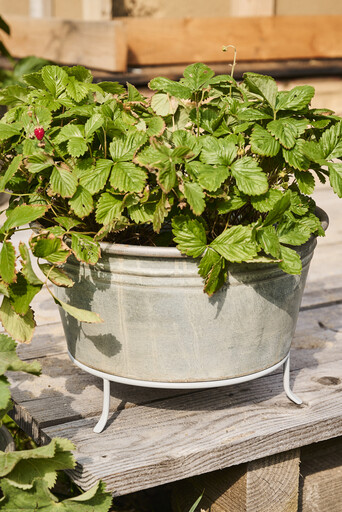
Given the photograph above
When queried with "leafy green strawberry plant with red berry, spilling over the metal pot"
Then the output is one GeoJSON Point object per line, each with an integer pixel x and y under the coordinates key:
{"type": "Point", "coordinates": [222, 170]}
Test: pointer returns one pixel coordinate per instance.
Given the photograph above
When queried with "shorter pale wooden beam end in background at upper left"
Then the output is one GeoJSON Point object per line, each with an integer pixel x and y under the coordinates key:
{"type": "Point", "coordinates": [95, 44]}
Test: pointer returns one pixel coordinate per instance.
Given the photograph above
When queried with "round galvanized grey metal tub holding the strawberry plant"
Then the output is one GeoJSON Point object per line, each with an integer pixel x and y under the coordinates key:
{"type": "Point", "coordinates": [159, 326]}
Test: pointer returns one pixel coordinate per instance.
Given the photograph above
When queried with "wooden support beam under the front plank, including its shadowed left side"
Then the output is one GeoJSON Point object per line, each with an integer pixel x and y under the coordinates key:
{"type": "Point", "coordinates": [271, 483]}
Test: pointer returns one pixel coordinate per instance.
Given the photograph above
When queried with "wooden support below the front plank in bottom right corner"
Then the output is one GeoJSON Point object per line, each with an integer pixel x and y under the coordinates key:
{"type": "Point", "coordinates": [321, 477]}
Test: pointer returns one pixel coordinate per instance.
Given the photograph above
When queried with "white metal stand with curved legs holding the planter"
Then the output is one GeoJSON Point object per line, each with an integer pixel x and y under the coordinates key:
{"type": "Point", "coordinates": [107, 377]}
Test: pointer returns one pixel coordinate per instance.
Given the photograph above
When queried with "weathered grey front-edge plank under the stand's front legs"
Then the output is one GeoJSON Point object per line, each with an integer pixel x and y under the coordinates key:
{"type": "Point", "coordinates": [173, 439]}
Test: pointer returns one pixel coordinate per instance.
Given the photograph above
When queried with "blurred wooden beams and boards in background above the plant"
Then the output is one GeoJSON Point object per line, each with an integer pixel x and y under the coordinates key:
{"type": "Point", "coordinates": [116, 35]}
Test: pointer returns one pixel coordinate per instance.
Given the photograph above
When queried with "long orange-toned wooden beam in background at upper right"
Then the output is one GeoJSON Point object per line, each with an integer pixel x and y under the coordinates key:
{"type": "Point", "coordinates": [154, 41]}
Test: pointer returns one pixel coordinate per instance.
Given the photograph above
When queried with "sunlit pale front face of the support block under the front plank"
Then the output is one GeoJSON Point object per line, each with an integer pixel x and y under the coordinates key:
{"type": "Point", "coordinates": [272, 483]}
